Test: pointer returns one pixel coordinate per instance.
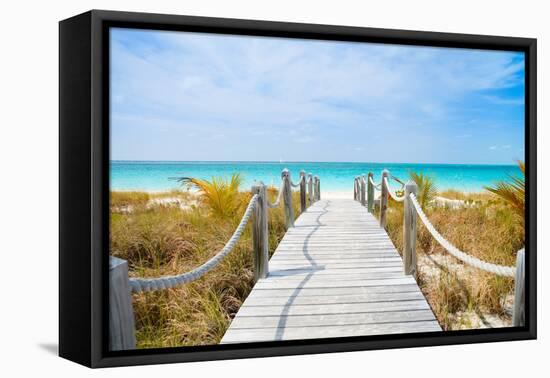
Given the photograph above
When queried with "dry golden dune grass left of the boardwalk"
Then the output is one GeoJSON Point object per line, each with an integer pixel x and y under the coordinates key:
{"type": "Point", "coordinates": [160, 239]}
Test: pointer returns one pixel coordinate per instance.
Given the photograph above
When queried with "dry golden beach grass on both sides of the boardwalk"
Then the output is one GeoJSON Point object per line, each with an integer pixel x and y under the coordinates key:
{"type": "Point", "coordinates": [167, 233]}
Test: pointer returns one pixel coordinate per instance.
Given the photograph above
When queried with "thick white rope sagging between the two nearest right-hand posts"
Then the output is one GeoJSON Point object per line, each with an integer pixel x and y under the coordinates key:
{"type": "Point", "coordinates": [508, 271]}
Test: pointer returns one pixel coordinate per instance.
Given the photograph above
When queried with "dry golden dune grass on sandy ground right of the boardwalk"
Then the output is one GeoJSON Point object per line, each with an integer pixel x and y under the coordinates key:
{"type": "Point", "coordinates": [489, 230]}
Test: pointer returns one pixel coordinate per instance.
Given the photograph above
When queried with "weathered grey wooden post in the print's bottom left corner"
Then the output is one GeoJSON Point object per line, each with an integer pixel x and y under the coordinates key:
{"type": "Point", "coordinates": [121, 313]}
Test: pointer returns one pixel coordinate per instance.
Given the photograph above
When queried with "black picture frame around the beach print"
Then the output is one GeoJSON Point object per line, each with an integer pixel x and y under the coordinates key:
{"type": "Point", "coordinates": [84, 179]}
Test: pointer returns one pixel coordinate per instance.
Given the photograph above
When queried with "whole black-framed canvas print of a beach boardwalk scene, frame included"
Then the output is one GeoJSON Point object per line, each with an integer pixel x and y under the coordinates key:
{"type": "Point", "coordinates": [234, 188]}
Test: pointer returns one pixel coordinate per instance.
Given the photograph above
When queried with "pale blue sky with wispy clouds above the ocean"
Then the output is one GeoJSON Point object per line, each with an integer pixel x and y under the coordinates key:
{"type": "Point", "coordinates": [189, 96]}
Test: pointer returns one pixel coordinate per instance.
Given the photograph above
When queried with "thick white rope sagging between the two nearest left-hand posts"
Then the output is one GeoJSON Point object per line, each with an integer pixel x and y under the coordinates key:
{"type": "Point", "coordinates": [149, 284]}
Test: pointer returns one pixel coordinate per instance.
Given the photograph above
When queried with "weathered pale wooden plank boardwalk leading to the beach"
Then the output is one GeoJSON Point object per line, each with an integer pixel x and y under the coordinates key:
{"type": "Point", "coordinates": [335, 274]}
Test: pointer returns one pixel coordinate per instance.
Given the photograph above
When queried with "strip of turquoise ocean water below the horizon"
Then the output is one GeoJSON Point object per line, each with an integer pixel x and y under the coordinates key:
{"type": "Point", "coordinates": [155, 176]}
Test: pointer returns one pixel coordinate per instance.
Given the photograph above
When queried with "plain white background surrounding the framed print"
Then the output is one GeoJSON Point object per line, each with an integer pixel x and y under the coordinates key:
{"type": "Point", "coordinates": [29, 185]}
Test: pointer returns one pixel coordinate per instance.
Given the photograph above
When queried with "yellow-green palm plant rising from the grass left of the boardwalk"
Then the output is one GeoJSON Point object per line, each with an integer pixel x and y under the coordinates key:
{"type": "Point", "coordinates": [220, 194]}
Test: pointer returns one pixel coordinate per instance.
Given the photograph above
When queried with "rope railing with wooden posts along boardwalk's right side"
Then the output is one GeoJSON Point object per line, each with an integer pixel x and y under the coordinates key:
{"type": "Point", "coordinates": [412, 208]}
